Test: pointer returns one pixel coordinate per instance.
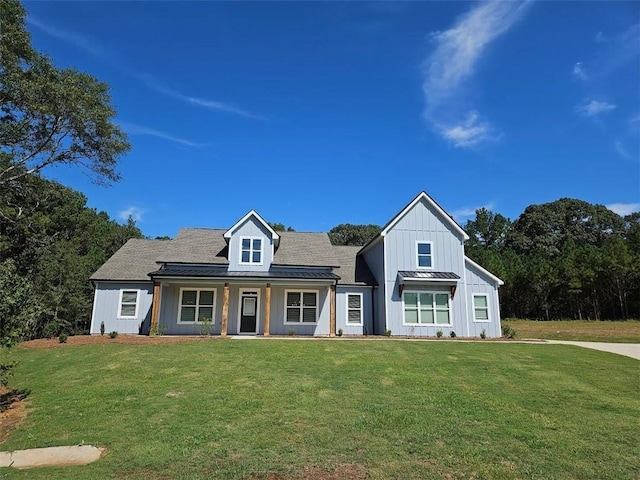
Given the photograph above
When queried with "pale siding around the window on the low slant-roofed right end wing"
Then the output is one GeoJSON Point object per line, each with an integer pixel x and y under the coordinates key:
{"type": "Point", "coordinates": [478, 283]}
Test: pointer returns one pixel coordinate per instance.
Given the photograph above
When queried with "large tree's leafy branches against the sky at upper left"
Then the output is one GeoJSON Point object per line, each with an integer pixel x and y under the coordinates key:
{"type": "Point", "coordinates": [48, 115]}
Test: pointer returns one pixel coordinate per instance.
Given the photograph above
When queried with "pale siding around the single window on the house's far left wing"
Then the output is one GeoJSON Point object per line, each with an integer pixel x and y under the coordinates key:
{"type": "Point", "coordinates": [106, 308]}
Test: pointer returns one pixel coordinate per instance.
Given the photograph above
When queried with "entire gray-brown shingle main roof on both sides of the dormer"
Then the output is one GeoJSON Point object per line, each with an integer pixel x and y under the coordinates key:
{"type": "Point", "coordinates": [137, 258]}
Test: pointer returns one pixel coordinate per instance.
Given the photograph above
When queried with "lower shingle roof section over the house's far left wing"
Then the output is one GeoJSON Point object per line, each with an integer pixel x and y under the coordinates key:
{"type": "Point", "coordinates": [133, 261]}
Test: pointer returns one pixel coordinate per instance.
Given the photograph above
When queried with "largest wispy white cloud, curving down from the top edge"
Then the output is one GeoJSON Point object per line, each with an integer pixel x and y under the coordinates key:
{"type": "Point", "coordinates": [453, 62]}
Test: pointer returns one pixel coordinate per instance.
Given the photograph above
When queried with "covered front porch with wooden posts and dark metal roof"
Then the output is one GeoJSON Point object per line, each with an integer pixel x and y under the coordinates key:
{"type": "Point", "coordinates": [210, 299]}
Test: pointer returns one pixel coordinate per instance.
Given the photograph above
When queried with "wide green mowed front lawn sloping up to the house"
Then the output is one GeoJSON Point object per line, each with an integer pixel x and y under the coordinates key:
{"type": "Point", "coordinates": [233, 409]}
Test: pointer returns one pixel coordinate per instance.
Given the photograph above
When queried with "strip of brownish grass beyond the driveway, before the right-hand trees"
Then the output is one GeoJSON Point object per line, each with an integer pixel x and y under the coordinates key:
{"type": "Point", "coordinates": [578, 330]}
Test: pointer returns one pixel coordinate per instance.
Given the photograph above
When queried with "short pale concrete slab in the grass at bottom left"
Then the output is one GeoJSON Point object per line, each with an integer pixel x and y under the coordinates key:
{"type": "Point", "coordinates": [50, 456]}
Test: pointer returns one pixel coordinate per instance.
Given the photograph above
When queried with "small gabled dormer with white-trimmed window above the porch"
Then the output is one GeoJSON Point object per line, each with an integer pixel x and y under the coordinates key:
{"type": "Point", "coordinates": [252, 243]}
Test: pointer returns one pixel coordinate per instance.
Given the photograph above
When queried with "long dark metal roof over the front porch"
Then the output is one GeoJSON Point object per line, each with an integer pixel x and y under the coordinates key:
{"type": "Point", "coordinates": [214, 272]}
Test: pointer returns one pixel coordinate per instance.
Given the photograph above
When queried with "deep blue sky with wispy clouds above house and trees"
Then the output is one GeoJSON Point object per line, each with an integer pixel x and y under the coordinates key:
{"type": "Point", "coordinates": [316, 114]}
